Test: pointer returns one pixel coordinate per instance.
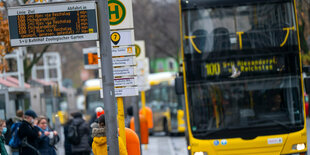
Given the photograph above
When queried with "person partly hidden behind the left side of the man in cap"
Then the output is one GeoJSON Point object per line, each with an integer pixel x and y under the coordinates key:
{"type": "Point", "coordinates": [14, 126]}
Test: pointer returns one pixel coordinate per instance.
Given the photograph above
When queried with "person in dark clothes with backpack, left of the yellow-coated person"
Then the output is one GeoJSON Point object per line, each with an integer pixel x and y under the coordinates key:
{"type": "Point", "coordinates": [83, 130]}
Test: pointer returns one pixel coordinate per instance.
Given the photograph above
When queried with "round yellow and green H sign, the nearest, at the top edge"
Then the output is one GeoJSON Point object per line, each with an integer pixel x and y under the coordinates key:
{"type": "Point", "coordinates": [117, 12]}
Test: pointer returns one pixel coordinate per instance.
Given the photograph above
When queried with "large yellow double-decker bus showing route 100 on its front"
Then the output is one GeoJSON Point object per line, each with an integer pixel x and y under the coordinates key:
{"type": "Point", "coordinates": [242, 77]}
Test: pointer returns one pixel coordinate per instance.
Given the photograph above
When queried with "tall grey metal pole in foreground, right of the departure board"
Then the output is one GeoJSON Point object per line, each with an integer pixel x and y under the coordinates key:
{"type": "Point", "coordinates": [107, 77]}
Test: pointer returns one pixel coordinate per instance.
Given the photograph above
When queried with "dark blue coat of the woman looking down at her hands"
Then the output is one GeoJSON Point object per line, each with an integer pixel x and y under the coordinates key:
{"type": "Point", "coordinates": [44, 145]}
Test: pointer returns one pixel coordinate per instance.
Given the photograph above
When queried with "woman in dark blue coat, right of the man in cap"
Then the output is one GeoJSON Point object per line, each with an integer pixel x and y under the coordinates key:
{"type": "Point", "coordinates": [48, 137]}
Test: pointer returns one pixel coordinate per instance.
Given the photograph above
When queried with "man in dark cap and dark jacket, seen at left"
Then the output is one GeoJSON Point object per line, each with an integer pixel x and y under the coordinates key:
{"type": "Point", "coordinates": [29, 134]}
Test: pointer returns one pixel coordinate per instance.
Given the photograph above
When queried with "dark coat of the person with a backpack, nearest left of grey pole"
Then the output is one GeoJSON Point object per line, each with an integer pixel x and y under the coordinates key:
{"type": "Point", "coordinates": [83, 131]}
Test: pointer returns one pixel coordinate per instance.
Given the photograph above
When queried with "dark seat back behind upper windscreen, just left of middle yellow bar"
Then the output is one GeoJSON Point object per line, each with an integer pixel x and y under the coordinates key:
{"type": "Point", "coordinates": [221, 39]}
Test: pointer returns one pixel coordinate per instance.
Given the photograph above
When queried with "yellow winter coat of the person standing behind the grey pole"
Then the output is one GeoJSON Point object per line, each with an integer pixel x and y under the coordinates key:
{"type": "Point", "coordinates": [100, 143]}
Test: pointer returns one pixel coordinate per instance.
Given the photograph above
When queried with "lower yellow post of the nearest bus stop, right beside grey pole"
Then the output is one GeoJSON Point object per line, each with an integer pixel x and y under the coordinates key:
{"type": "Point", "coordinates": [121, 119]}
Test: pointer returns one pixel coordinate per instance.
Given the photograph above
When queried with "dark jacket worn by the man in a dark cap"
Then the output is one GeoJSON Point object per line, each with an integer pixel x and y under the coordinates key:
{"type": "Point", "coordinates": [27, 131]}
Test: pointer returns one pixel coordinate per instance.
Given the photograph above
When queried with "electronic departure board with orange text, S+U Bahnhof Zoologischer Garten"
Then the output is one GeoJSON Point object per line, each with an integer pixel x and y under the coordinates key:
{"type": "Point", "coordinates": [53, 23]}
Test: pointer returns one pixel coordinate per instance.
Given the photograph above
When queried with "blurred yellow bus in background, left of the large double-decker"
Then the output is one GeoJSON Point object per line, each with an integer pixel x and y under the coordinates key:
{"type": "Point", "coordinates": [167, 108]}
